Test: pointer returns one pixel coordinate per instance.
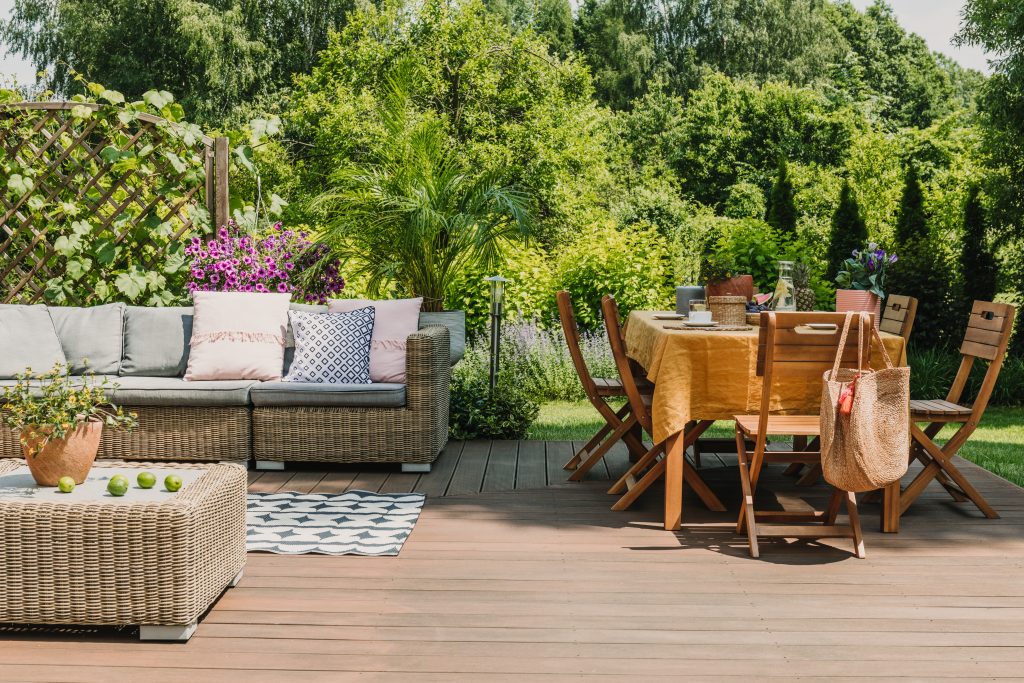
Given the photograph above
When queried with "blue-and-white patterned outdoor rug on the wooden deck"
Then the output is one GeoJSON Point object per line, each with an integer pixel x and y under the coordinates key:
{"type": "Point", "coordinates": [357, 523]}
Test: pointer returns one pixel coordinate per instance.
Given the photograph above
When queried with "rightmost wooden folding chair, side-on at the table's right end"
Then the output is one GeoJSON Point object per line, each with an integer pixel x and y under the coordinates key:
{"type": "Point", "coordinates": [988, 335]}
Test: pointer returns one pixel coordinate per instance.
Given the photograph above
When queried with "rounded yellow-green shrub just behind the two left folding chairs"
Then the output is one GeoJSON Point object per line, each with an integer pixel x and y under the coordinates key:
{"type": "Point", "coordinates": [634, 265]}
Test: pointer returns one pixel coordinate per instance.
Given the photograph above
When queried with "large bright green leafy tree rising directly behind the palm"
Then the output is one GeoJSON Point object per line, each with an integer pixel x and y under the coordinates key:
{"type": "Point", "coordinates": [503, 102]}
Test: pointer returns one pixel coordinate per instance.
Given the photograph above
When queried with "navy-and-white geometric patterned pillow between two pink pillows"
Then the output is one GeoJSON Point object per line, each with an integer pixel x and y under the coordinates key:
{"type": "Point", "coordinates": [332, 349]}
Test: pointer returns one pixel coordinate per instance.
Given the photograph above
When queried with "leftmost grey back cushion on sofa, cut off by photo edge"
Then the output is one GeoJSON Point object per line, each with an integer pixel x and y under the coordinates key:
{"type": "Point", "coordinates": [28, 339]}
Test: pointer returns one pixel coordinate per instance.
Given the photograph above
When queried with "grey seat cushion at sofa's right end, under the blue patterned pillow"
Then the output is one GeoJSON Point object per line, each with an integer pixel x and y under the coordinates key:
{"type": "Point", "coordinates": [380, 395]}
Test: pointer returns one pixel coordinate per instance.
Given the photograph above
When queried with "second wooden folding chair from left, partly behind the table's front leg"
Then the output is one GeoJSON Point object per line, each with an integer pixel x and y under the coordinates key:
{"type": "Point", "coordinates": [652, 464]}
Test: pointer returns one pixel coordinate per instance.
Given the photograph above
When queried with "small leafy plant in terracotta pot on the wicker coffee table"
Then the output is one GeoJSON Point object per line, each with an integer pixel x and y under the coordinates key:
{"type": "Point", "coordinates": [60, 420]}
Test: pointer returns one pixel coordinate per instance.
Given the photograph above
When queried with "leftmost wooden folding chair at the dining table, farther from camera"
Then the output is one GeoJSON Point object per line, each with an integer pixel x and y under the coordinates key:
{"type": "Point", "coordinates": [619, 425]}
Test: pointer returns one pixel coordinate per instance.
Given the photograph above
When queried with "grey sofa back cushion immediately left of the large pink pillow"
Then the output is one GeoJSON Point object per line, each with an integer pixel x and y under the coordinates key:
{"type": "Point", "coordinates": [157, 341]}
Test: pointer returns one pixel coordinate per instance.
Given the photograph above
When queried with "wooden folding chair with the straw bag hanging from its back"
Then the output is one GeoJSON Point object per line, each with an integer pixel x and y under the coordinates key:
{"type": "Point", "coordinates": [789, 349]}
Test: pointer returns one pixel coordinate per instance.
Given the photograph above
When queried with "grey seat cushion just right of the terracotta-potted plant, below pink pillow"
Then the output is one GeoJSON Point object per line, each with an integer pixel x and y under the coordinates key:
{"type": "Point", "coordinates": [175, 392]}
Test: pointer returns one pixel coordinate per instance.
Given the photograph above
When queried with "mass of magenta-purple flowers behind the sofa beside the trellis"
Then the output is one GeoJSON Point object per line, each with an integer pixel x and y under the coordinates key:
{"type": "Point", "coordinates": [281, 261]}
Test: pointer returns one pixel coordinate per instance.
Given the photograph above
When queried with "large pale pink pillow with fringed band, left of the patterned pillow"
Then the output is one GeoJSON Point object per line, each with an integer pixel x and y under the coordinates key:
{"type": "Point", "coordinates": [238, 336]}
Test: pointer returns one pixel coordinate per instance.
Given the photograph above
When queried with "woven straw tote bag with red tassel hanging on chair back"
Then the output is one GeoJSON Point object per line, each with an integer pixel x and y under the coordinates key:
{"type": "Point", "coordinates": [866, 420]}
